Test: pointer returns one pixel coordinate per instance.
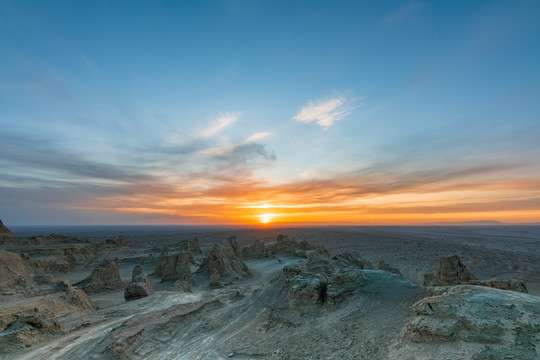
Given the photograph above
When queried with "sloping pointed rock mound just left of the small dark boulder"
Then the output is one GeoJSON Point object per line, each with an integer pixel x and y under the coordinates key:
{"type": "Point", "coordinates": [106, 277]}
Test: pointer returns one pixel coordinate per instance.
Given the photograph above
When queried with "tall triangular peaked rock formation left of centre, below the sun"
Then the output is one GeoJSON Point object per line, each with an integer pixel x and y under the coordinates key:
{"type": "Point", "coordinates": [225, 260]}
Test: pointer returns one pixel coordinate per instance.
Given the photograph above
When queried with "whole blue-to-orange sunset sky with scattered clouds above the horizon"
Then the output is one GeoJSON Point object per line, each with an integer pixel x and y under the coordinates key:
{"type": "Point", "coordinates": [269, 112]}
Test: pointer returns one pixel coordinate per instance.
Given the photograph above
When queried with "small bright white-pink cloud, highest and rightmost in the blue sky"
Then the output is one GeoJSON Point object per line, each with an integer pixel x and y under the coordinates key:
{"type": "Point", "coordinates": [324, 112]}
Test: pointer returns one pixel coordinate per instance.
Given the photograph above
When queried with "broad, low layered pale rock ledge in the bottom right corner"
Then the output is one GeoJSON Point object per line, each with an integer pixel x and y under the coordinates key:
{"type": "Point", "coordinates": [508, 321]}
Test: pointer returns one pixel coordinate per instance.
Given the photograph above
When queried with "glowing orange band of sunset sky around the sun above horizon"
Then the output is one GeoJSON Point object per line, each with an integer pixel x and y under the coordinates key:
{"type": "Point", "coordinates": [328, 203]}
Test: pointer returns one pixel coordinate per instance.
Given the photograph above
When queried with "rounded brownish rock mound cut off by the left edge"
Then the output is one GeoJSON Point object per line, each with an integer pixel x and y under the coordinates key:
{"type": "Point", "coordinates": [14, 271]}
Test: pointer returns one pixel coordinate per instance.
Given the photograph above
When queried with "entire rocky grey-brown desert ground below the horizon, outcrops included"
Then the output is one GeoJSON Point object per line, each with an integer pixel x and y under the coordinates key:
{"type": "Point", "coordinates": [270, 293]}
